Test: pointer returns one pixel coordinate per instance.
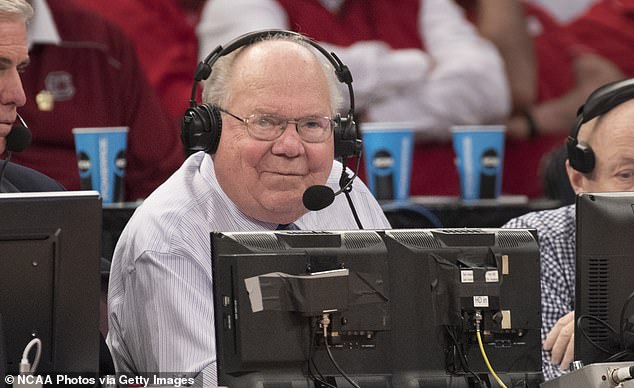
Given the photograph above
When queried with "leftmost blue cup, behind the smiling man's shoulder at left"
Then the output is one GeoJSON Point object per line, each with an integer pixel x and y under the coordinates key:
{"type": "Point", "coordinates": [101, 159]}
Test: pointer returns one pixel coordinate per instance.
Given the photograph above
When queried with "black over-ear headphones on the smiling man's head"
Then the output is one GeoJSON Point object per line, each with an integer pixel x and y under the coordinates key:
{"type": "Point", "coordinates": [201, 125]}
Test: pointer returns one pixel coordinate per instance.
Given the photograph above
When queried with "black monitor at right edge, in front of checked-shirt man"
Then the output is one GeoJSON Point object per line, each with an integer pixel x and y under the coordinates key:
{"type": "Point", "coordinates": [604, 311]}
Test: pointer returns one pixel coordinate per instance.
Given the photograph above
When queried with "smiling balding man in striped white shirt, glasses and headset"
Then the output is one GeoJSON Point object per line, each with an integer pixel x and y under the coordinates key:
{"type": "Point", "coordinates": [270, 130]}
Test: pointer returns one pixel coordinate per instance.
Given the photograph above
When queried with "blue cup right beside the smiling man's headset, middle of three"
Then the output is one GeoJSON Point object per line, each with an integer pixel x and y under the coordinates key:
{"type": "Point", "coordinates": [387, 150]}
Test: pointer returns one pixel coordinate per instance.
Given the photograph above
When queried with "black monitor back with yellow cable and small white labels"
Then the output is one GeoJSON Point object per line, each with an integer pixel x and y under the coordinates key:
{"type": "Point", "coordinates": [442, 279]}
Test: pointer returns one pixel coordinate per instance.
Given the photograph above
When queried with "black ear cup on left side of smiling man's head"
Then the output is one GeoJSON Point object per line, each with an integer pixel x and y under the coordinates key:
{"type": "Point", "coordinates": [201, 128]}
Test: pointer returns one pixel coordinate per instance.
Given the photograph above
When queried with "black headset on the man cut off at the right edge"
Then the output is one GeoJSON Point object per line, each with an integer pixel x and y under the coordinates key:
{"type": "Point", "coordinates": [602, 100]}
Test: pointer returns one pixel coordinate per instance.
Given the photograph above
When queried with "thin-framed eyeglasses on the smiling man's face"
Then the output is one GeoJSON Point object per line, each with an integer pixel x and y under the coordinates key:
{"type": "Point", "coordinates": [266, 126]}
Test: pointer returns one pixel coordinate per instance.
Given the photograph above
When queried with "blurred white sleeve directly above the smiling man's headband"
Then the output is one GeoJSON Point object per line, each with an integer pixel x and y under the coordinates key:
{"type": "Point", "coordinates": [221, 21]}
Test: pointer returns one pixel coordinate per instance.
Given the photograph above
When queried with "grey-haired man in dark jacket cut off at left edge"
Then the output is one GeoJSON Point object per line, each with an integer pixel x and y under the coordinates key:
{"type": "Point", "coordinates": [14, 58]}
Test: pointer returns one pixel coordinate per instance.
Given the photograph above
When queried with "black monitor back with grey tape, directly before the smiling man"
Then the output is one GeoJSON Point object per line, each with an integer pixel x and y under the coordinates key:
{"type": "Point", "coordinates": [269, 291]}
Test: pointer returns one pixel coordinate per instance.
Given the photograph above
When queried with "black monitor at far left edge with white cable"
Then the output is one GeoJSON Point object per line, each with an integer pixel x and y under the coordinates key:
{"type": "Point", "coordinates": [49, 275]}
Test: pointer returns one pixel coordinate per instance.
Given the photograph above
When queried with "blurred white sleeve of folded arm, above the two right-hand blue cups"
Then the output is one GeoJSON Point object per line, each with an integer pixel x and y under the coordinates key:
{"type": "Point", "coordinates": [466, 85]}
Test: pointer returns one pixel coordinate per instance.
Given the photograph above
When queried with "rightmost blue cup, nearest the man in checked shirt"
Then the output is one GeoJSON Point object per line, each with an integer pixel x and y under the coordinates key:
{"type": "Point", "coordinates": [479, 159]}
